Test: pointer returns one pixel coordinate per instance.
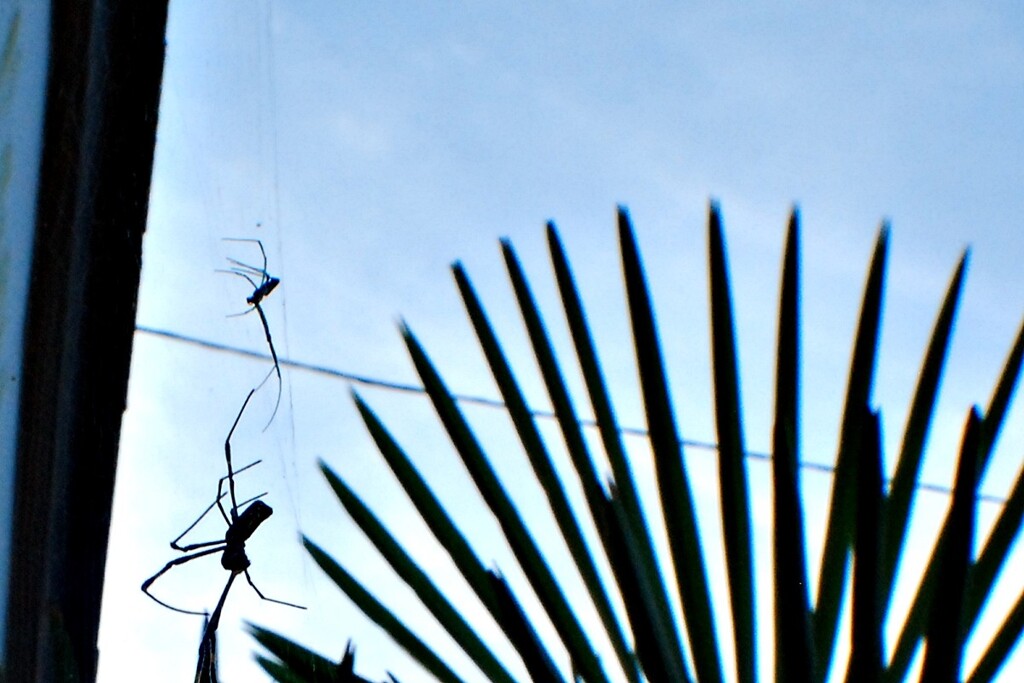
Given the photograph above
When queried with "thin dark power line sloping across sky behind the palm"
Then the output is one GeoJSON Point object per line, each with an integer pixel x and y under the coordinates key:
{"type": "Point", "coordinates": [496, 404]}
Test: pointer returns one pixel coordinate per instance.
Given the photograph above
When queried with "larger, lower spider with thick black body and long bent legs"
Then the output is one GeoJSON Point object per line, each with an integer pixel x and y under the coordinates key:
{"type": "Point", "coordinates": [241, 527]}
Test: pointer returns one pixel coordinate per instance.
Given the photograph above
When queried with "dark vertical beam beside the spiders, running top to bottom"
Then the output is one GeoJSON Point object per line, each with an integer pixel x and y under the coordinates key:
{"type": "Point", "coordinates": [103, 97]}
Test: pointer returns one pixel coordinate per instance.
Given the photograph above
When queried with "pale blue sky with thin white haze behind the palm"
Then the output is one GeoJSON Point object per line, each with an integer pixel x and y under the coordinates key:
{"type": "Point", "coordinates": [369, 149]}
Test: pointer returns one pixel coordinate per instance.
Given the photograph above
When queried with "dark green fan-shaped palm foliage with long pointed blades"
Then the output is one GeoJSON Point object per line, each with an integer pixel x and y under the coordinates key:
{"type": "Point", "coordinates": [867, 524]}
